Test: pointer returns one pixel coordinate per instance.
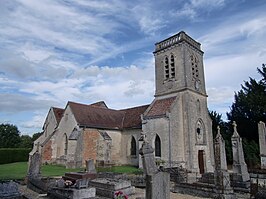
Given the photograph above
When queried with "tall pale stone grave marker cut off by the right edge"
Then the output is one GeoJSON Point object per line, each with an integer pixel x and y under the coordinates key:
{"type": "Point", "coordinates": [262, 141]}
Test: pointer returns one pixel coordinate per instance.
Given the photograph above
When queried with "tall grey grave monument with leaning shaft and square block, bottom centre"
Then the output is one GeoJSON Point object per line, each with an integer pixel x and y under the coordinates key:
{"type": "Point", "coordinates": [157, 183]}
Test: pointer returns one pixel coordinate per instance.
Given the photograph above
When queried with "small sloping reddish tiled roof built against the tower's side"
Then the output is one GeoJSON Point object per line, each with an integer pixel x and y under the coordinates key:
{"type": "Point", "coordinates": [160, 107]}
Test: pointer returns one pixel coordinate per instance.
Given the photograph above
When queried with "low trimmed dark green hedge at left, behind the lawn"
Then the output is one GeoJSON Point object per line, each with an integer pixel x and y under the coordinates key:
{"type": "Point", "coordinates": [9, 155]}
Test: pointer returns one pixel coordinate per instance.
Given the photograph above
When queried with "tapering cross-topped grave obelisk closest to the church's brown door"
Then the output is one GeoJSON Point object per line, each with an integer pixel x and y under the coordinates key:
{"type": "Point", "coordinates": [221, 175]}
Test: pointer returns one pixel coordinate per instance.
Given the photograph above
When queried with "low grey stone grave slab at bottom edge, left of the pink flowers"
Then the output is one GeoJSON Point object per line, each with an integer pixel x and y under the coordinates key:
{"type": "Point", "coordinates": [71, 193]}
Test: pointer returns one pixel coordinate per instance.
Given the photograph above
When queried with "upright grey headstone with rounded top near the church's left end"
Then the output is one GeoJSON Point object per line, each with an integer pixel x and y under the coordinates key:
{"type": "Point", "coordinates": [35, 163]}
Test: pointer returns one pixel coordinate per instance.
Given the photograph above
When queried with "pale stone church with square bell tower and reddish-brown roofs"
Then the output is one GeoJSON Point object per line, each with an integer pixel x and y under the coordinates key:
{"type": "Point", "coordinates": [176, 123]}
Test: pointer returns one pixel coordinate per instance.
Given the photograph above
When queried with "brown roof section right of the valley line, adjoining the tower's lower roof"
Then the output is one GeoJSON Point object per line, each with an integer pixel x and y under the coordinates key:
{"type": "Point", "coordinates": [132, 117]}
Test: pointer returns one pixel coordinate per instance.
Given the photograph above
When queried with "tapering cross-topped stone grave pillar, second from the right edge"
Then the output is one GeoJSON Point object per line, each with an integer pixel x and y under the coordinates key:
{"type": "Point", "coordinates": [239, 165]}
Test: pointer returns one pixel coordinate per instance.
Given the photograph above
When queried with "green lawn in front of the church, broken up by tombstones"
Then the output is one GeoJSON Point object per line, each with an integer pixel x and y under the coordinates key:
{"type": "Point", "coordinates": [18, 170]}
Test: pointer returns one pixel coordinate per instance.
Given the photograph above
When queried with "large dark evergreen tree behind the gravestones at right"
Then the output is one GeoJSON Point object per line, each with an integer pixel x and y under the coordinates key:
{"type": "Point", "coordinates": [249, 106]}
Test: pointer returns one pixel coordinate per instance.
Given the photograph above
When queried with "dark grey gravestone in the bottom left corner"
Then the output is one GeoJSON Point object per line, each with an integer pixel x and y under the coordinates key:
{"type": "Point", "coordinates": [9, 190]}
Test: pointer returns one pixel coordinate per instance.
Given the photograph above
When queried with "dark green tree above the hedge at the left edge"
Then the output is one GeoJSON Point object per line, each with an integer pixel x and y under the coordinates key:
{"type": "Point", "coordinates": [9, 136]}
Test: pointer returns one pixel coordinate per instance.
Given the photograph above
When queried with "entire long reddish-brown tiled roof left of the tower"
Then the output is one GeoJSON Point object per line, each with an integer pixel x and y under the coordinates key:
{"type": "Point", "coordinates": [104, 118]}
